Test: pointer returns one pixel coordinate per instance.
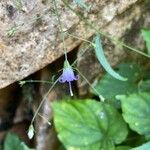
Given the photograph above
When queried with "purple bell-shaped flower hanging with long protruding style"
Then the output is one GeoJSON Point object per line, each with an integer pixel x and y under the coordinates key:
{"type": "Point", "coordinates": [68, 75]}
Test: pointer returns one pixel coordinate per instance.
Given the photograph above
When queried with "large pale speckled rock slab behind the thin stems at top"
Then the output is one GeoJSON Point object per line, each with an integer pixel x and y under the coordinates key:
{"type": "Point", "coordinates": [37, 42]}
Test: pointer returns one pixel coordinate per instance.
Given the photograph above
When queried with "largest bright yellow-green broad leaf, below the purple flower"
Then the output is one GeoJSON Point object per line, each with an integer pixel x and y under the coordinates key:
{"type": "Point", "coordinates": [88, 125]}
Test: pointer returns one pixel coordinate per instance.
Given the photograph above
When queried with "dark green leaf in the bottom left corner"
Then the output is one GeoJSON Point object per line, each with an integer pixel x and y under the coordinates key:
{"type": "Point", "coordinates": [12, 142]}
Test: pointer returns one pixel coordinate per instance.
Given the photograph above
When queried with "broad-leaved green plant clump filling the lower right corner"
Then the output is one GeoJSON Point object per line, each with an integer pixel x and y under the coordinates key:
{"type": "Point", "coordinates": [91, 125]}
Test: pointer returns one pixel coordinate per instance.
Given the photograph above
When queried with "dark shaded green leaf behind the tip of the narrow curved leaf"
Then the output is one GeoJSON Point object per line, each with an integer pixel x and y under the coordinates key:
{"type": "Point", "coordinates": [132, 71]}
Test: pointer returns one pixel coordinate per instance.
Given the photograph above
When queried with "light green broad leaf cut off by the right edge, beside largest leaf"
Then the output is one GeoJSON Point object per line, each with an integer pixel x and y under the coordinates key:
{"type": "Point", "coordinates": [136, 112]}
